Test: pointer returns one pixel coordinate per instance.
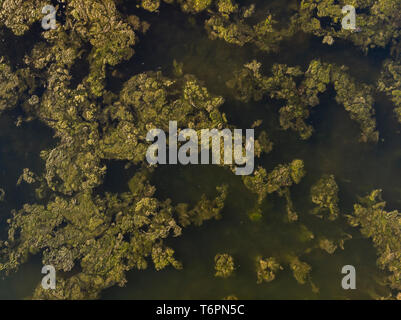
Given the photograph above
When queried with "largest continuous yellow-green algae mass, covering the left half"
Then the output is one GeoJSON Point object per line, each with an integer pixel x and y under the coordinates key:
{"type": "Point", "coordinates": [102, 236]}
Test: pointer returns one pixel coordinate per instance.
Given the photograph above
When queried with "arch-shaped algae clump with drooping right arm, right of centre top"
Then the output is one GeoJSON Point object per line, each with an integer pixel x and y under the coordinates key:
{"type": "Point", "coordinates": [301, 94]}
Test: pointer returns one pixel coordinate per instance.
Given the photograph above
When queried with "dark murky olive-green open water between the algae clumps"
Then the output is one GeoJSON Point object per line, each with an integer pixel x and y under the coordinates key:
{"type": "Point", "coordinates": [334, 148]}
